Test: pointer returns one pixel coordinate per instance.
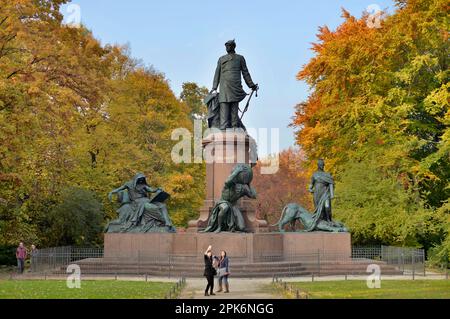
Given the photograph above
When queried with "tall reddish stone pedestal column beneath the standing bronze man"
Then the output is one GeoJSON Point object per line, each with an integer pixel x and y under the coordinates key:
{"type": "Point", "coordinates": [223, 151]}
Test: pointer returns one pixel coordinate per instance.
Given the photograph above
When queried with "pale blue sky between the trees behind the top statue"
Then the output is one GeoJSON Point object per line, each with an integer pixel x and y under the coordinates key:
{"type": "Point", "coordinates": [183, 39]}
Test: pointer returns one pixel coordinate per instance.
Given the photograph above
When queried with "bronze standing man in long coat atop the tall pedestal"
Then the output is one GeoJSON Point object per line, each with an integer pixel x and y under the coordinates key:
{"type": "Point", "coordinates": [228, 76]}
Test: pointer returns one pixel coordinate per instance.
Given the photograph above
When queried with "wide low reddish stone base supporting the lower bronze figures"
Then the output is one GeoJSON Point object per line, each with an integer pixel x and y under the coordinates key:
{"type": "Point", "coordinates": [247, 248]}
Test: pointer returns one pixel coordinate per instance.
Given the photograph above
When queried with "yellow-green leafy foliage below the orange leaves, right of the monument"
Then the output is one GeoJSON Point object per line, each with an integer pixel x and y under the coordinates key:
{"type": "Point", "coordinates": [380, 210]}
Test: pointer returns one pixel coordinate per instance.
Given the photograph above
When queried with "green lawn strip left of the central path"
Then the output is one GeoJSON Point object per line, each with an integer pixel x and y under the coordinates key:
{"type": "Point", "coordinates": [49, 289]}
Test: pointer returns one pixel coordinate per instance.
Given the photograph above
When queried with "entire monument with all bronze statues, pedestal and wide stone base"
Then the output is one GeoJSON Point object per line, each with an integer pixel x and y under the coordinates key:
{"type": "Point", "coordinates": [228, 218]}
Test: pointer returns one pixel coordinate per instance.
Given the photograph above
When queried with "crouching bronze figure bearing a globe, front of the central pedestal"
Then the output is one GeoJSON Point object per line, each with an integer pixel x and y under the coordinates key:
{"type": "Point", "coordinates": [225, 215]}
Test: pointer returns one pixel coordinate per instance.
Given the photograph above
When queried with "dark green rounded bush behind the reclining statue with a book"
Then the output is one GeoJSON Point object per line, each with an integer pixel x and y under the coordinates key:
{"type": "Point", "coordinates": [77, 220]}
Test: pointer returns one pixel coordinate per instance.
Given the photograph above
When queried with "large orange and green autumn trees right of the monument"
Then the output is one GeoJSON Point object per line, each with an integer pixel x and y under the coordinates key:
{"type": "Point", "coordinates": [379, 114]}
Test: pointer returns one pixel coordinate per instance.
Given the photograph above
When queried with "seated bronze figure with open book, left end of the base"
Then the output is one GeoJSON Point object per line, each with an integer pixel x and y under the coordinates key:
{"type": "Point", "coordinates": [138, 213]}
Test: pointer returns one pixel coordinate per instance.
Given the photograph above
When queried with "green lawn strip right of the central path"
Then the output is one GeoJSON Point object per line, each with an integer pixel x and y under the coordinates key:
{"type": "Point", "coordinates": [390, 289]}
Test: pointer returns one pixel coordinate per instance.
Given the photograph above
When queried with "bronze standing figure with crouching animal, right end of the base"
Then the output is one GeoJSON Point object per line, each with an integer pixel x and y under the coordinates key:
{"type": "Point", "coordinates": [322, 186]}
